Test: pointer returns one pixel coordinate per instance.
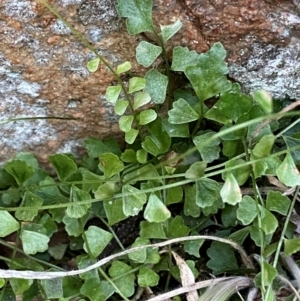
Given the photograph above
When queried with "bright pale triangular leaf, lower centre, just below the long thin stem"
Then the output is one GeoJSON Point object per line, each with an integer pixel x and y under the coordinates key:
{"type": "Point", "coordinates": [155, 210]}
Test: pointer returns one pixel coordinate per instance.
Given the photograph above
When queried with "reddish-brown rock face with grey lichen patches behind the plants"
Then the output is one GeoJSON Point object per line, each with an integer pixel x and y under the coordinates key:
{"type": "Point", "coordinates": [43, 65]}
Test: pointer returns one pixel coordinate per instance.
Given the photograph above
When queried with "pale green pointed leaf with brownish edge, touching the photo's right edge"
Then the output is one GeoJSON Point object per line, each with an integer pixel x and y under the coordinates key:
{"type": "Point", "coordinates": [288, 173]}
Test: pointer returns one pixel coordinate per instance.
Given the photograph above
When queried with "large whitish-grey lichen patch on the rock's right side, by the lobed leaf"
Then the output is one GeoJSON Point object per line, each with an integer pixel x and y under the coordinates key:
{"type": "Point", "coordinates": [271, 68]}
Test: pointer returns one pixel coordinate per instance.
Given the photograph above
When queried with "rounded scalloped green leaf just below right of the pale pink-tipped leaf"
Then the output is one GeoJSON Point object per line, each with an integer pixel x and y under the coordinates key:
{"type": "Point", "coordinates": [247, 210]}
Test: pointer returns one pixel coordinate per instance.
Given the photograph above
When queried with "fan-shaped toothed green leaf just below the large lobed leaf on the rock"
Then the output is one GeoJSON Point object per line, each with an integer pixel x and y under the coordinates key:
{"type": "Point", "coordinates": [182, 112]}
